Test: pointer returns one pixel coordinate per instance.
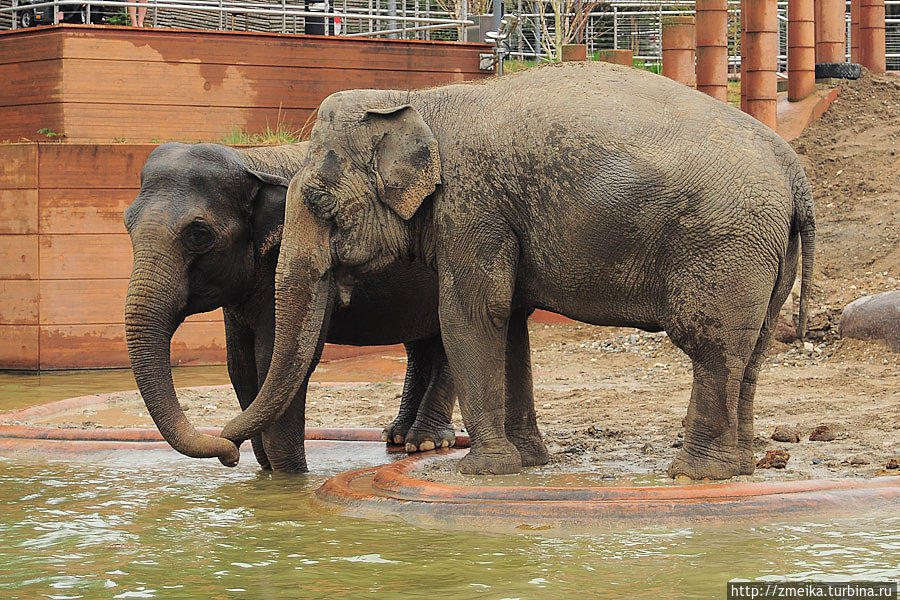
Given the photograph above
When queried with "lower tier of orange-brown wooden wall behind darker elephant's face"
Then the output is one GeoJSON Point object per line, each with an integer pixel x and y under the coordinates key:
{"type": "Point", "coordinates": [65, 259]}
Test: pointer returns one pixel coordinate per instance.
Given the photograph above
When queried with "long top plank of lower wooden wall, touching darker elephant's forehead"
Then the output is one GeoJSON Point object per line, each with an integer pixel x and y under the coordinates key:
{"type": "Point", "coordinates": [92, 165]}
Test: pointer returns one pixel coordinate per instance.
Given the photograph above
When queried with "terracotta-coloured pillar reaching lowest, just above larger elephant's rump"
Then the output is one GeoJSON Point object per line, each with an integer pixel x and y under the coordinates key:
{"type": "Point", "coordinates": [760, 43]}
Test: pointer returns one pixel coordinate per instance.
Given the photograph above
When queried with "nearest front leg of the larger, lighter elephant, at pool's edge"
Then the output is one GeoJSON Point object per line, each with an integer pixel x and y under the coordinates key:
{"type": "Point", "coordinates": [475, 298]}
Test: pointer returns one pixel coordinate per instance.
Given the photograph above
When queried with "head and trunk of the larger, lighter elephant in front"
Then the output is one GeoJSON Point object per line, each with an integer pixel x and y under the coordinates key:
{"type": "Point", "coordinates": [371, 163]}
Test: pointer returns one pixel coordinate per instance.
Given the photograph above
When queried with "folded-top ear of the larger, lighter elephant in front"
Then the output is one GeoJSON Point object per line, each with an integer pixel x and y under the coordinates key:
{"type": "Point", "coordinates": [406, 162]}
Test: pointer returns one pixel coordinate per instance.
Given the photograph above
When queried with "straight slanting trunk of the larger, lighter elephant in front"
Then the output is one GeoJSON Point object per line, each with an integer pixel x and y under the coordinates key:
{"type": "Point", "coordinates": [304, 295]}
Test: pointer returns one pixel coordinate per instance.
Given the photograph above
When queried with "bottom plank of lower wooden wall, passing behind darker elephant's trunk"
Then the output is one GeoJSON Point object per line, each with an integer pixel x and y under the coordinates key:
{"type": "Point", "coordinates": [103, 346]}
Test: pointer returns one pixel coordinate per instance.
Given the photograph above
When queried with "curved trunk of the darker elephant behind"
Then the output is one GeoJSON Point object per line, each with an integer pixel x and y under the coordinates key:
{"type": "Point", "coordinates": [152, 314]}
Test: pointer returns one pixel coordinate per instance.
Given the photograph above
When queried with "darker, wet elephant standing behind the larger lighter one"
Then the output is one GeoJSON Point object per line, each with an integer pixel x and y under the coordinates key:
{"type": "Point", "coordinates": [206, 230]}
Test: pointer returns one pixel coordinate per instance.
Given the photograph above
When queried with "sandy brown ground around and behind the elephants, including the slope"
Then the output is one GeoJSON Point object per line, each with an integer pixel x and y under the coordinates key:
{"type": "Point", "coordinates": [611, 401]}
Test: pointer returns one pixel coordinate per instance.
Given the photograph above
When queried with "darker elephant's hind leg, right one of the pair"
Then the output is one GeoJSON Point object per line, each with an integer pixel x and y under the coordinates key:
{"type": "Point", "coordinates": [433, 427]}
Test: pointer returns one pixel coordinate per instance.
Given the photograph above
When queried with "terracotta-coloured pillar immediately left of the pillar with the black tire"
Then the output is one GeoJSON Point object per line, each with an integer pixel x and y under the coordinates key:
{"type": "Point", "coordinates": [801, 49]}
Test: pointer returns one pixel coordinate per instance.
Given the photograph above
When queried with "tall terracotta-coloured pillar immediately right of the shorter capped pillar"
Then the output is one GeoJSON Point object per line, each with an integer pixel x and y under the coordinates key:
{"type": "Point", "coordinates": [712, 48]}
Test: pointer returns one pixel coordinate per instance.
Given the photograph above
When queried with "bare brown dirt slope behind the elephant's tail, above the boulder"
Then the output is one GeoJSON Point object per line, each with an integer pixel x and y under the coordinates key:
{"type": "Point", "coordinates": [851, 158]}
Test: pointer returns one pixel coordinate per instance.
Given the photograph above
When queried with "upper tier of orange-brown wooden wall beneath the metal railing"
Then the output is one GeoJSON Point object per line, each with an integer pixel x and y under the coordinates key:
{"type": "Point", "coordinates": [105, 84]}
